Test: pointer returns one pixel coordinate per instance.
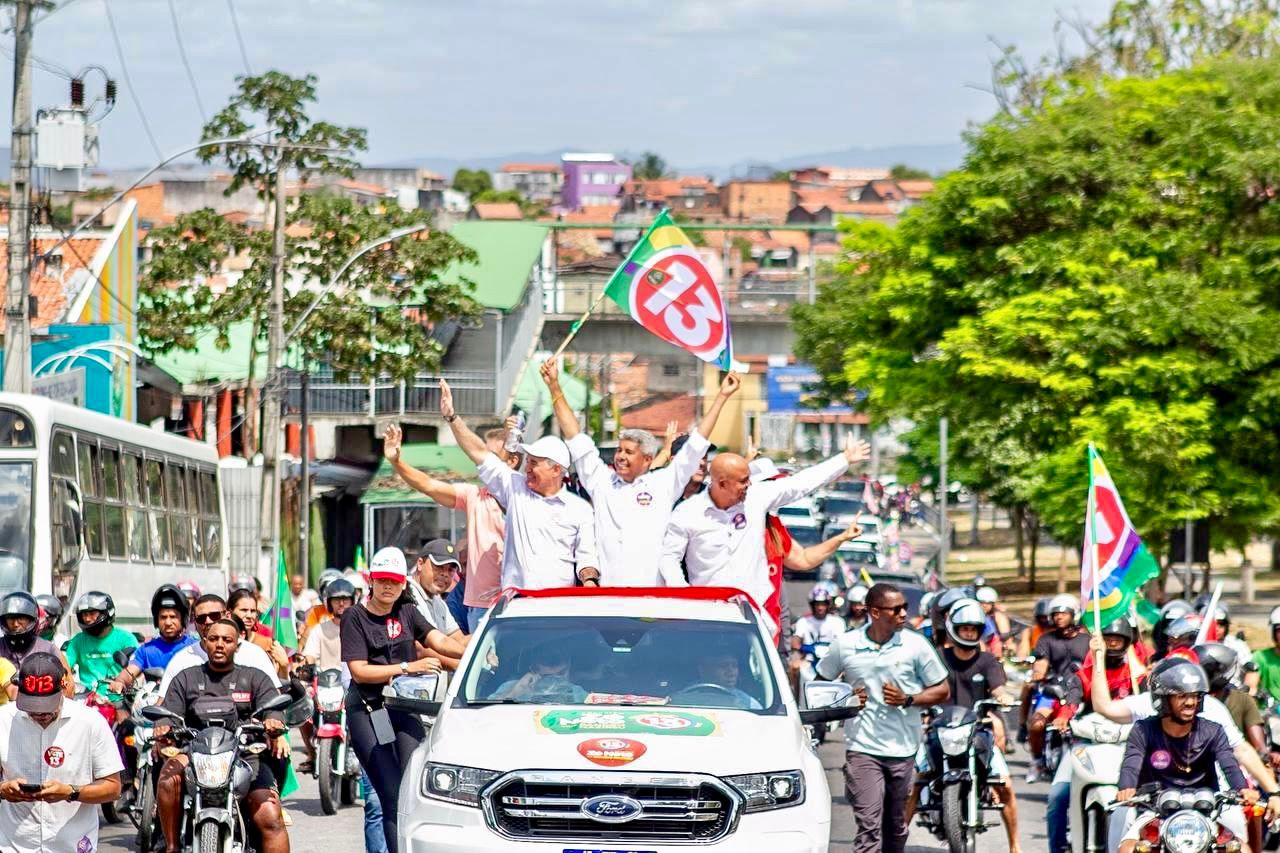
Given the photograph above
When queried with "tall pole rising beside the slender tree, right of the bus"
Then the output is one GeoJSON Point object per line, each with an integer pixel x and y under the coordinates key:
{"type": "Point", "coordinates": [269, 527]}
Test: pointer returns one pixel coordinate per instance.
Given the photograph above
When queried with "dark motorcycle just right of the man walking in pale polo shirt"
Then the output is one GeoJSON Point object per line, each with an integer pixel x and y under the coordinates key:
{"type": "Point", "coordinates": [958, 768]}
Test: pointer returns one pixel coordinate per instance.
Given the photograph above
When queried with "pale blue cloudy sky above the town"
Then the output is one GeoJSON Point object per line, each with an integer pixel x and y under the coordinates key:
{"type": "Point", "coordinates": [700, 81]}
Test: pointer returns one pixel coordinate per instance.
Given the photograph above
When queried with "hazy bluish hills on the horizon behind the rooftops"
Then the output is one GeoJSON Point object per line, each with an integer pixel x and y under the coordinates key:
{"type": "Point", "coordinates": [932, 158]}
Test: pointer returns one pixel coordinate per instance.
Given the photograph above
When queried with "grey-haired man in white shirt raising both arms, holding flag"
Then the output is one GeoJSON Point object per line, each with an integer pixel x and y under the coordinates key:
{"type": "Point", "coordinates": [633, 504]}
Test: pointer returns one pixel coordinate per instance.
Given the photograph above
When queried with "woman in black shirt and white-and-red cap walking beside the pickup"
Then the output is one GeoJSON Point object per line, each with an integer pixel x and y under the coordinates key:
{"type": "Point", "coordinates": [378, 645]}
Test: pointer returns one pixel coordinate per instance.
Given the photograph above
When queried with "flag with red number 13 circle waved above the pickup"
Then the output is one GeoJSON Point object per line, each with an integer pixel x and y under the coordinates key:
{"type": "Point", "coordinates": [666, 288]}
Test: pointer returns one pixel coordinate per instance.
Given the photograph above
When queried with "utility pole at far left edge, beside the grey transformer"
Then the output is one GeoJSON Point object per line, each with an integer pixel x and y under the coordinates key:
{"type": "Point", "coordinates": [17, 308]}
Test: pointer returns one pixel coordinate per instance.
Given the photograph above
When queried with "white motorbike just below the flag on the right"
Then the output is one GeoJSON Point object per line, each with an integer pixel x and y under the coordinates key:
{"type": "Point", "coordinates": [1096, 761]}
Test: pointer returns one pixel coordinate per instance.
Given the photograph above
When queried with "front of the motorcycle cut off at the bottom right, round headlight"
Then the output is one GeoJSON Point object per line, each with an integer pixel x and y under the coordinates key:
{"type": "Point", "coordinates": [1183, 820]}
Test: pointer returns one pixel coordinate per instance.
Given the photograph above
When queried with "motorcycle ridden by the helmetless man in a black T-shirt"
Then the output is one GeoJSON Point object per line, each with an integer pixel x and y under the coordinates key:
{"type": "Point", "coordinates": [218, 777]}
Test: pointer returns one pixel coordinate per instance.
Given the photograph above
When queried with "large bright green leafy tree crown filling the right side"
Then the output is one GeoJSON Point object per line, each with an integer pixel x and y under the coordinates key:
{"type": "Point", "coordinates": [1103, 270]}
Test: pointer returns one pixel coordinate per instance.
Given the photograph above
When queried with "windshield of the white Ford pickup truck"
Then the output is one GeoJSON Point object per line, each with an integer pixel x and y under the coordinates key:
{"type": "Point", "coordinates": [623, 662]}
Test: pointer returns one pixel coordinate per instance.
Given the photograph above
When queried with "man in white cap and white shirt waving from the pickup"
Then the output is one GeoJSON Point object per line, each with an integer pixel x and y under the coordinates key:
{"type": "Point", "coordinates": [551, 532]}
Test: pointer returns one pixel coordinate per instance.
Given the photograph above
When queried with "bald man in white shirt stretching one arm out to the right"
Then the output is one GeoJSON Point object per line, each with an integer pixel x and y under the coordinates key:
{"type": "Point", "coordinates": [720, 533]}
